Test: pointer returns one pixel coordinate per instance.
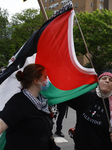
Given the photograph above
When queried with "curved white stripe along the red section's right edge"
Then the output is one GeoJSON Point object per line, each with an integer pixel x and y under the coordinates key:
{"type": "Point", "coordinates": [71, 47]}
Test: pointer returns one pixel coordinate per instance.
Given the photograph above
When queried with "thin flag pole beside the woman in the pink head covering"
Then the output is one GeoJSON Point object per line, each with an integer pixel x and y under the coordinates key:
{"type": "Point", "coordinates": [94, 69]}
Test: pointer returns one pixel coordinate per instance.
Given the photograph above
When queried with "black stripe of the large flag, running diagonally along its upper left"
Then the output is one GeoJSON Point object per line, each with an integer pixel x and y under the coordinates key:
{"type": "Point", "coordinates": [29, 48]}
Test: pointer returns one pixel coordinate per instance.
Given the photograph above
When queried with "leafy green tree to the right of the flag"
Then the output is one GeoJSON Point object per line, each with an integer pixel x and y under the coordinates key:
{"type": "Point", "coordinates": [97, 31]}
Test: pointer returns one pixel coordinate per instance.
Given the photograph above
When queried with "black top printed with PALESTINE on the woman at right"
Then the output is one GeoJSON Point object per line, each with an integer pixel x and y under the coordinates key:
{"type": "Point", "coordinates": [92, 128]}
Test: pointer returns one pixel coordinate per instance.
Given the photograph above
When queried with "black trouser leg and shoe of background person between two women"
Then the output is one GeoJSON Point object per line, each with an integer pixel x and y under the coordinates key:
{"type": "Point", "coordinates": [62, 107]}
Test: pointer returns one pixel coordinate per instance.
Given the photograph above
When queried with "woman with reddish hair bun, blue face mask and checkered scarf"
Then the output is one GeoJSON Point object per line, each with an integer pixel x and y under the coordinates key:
{"type": "Point", "coordinates": [26, 116]}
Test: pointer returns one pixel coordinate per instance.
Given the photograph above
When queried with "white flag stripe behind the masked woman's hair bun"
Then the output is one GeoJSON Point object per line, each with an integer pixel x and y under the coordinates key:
{"type": "Point", "coordinates": [11, 86]}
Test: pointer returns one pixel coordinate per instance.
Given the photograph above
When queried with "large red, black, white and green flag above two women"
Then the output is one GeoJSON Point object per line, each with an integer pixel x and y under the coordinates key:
{"type": "Point", "coordinates": [53, 47]}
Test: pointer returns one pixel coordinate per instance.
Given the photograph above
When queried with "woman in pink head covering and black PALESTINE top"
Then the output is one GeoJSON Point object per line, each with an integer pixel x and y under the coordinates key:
{"type": "Point", "coordinates": [92, 130]}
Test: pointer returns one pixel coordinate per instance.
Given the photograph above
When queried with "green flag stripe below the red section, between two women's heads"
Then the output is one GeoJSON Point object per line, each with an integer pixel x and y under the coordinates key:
{"type": "Point", "coordinates": [56, 96]}
